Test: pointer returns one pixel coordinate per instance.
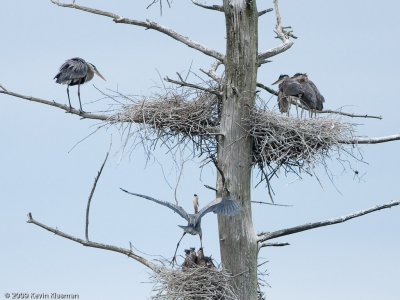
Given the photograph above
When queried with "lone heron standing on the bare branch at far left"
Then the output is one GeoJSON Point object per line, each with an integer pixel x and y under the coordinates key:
{"type": "Point", "coordinates": [76, 71]}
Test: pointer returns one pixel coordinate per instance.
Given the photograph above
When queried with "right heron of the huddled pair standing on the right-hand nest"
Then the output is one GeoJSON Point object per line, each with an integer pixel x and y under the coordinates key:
{"type": "Point", "coordinates": [316, 99]}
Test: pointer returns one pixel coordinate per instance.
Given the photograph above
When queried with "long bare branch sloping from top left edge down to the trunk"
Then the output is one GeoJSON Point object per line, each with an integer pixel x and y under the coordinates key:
{"type": "Point", "coordinates": [146, 24]}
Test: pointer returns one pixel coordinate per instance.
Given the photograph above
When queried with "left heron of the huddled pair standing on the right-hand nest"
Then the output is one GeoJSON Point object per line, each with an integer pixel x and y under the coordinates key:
{"type": "Point", "coordinates": [288, 88]}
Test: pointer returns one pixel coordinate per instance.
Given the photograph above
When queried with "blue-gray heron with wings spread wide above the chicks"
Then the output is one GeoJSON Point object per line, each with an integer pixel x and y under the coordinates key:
{"type": "Point", "coordinates": [223, 206]}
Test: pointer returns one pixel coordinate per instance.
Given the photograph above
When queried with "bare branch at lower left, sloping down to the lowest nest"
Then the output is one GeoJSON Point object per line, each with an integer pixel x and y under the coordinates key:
{"type": "Point", "coordinates": [127, 252]}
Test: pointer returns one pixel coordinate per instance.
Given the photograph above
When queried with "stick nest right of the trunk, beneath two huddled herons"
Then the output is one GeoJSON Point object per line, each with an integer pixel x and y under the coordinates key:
{"type": "Point", "coordinates": [294, 142]}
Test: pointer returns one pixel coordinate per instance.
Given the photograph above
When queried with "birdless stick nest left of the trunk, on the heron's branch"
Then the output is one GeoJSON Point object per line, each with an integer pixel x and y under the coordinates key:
{"type": "Point", "coordinates": [176, 117]}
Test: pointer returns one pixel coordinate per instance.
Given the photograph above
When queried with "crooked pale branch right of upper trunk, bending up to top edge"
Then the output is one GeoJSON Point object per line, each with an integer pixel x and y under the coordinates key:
{"type": "Point", "coordinates": [282, 35]}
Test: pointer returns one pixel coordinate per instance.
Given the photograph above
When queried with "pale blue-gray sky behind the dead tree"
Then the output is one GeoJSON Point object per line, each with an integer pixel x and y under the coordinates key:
{"type": "Point", "coordinates": [350, 50]}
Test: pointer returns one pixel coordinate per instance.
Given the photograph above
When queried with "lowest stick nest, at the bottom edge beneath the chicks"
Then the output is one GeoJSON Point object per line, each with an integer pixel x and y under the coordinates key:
{"type": "Point", "coordinates": [195, 283]}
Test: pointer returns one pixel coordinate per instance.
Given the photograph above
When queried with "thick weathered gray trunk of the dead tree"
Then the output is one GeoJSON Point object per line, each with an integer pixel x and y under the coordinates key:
{"type": "Point", "coordinates": [238, 240]}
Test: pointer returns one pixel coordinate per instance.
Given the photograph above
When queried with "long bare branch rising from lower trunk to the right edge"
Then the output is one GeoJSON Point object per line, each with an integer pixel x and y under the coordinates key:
{"type": "Point", "coordinates": [275, 234]}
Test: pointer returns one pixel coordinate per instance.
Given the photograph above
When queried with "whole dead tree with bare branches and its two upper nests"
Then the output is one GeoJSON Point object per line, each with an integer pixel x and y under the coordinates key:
{"type": "Point", "coordinates": [223, 122]}
